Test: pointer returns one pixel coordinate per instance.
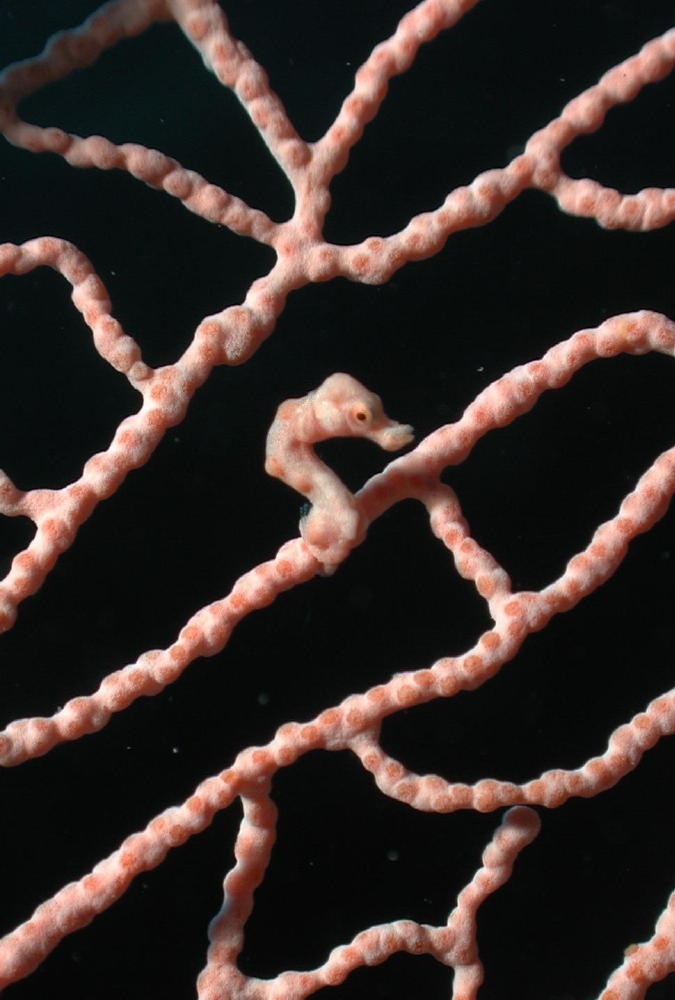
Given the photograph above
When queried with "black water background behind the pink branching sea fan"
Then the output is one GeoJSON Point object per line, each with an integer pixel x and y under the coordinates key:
{"type": "Point", "coordinates": [181, 530]}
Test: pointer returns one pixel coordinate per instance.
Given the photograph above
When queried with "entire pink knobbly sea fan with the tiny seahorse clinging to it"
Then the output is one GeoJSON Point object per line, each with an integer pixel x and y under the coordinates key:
{"type": "Point", "coordinates": [339, 519]}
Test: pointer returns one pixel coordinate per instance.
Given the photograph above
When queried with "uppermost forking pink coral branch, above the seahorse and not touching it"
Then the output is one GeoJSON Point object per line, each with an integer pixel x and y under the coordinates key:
{"type": "Point", "coordinates": [234, 334]}
